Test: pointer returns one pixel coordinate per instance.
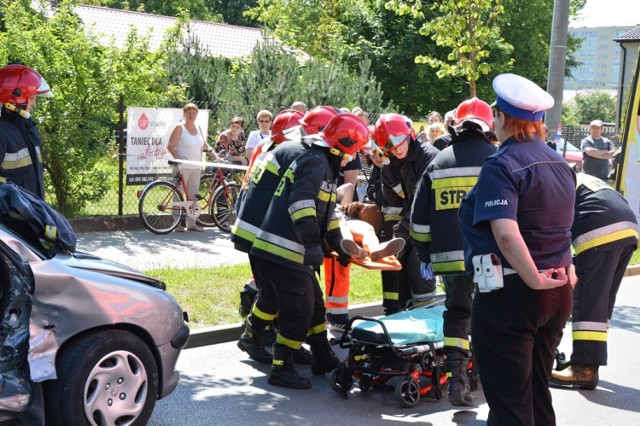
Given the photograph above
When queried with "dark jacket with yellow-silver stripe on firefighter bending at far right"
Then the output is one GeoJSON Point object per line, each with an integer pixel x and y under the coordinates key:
{"type": "Point", "coordinates": [602, 216]}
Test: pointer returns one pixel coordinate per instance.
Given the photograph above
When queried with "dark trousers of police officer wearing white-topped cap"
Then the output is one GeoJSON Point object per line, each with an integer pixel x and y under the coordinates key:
{"type": "Point", "coordinates": [515, 332]}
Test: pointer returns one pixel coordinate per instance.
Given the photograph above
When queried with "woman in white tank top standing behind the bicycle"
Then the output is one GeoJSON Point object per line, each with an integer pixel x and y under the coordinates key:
{"type": "Point", "coordinates": [187, 143]}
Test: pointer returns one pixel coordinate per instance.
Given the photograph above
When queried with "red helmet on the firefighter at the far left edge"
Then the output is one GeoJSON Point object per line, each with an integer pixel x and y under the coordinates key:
{"type": "Point", "coordinates": [19, 83]}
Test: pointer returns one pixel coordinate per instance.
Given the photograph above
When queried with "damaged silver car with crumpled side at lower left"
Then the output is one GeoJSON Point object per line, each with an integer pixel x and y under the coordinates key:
{"type": "Point", "coordinates": [83, 340]}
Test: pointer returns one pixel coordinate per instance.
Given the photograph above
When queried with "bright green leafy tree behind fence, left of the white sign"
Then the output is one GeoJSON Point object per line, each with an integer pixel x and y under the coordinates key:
{"type": "Point", "coordinates": [77, 124]}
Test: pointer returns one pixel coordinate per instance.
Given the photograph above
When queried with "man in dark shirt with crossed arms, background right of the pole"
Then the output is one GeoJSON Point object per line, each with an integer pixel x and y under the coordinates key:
{"type": "Point", "coordinates": [597, 151]}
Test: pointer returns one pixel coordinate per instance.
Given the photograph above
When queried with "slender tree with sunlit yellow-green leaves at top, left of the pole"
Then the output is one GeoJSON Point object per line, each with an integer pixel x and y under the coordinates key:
{"type": "Point", "coordinates": [466, 29]}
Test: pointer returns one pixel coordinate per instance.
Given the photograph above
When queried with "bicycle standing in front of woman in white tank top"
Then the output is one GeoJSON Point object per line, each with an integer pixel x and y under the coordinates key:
{"type": "Point", "coordinates": [162, 206]}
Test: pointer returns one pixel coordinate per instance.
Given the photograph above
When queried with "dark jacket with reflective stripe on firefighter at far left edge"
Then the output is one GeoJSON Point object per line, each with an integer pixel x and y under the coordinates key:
{"type": "Point", "coordinates": [20, 159]}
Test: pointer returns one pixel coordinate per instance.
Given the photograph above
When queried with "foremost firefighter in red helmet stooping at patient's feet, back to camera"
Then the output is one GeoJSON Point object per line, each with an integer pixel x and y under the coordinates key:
{"type": "Point", "coordinates": [290, 247]}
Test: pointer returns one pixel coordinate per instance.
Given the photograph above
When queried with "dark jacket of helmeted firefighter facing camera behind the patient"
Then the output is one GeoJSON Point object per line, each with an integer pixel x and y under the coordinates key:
{"type": "Point", "coordinates": [399, 181]}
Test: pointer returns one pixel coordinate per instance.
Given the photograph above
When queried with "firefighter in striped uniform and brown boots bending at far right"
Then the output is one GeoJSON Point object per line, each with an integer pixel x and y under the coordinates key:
{"type": "Point", "coordinates": [605, 235]}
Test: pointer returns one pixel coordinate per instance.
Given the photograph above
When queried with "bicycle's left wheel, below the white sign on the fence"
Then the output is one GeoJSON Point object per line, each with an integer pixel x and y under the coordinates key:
{"type": "Point", "coordinates": [156, 207]}
